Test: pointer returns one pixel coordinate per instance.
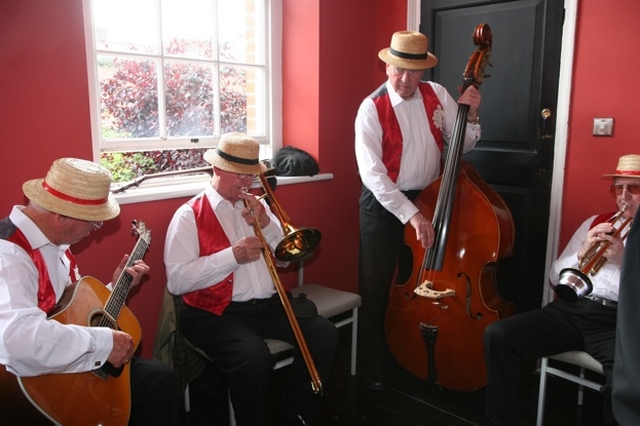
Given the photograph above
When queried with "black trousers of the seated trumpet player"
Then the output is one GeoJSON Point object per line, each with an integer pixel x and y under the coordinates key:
{"type": "Point", "coordinates": [558, 327]}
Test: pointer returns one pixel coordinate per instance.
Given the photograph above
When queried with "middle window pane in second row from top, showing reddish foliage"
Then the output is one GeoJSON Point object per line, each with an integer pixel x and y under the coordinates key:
{"type": "Point", "coordinates": [189, 99]}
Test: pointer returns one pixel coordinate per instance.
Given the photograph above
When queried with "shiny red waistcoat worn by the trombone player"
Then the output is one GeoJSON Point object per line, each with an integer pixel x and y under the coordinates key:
{"type": "Point", "coordinates": [211, 239]}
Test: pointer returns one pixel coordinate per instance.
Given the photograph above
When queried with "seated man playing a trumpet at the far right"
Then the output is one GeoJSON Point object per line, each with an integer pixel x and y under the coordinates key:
{"type": "Point", "coordinates": [588, 324]}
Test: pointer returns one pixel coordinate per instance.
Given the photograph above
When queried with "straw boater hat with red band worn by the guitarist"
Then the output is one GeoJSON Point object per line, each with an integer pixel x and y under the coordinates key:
{"type": "Point", "coordinates": [75, 188]}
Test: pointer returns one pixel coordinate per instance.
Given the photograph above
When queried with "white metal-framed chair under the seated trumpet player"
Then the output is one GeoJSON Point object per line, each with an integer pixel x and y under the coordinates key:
{"type": "Point", "coordinates": [579, 358]}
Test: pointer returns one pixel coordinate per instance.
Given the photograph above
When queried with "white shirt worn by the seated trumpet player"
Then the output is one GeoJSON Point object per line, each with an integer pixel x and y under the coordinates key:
{"type": "Point", "coordinates": [606, 282]}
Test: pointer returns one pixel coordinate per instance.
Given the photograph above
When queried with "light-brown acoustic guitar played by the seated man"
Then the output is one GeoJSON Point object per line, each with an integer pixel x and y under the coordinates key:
{"type": "Point", "coordinates": [98, 397]}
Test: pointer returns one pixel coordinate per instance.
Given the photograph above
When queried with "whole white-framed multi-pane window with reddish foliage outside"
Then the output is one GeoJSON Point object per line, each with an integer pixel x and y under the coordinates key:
{"type": "Point", "coordinates": [172, 76]}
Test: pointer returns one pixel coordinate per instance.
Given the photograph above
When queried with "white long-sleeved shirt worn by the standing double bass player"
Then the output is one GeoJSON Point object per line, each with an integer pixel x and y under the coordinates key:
{"type": "Point", "coordinates": [420, 163]}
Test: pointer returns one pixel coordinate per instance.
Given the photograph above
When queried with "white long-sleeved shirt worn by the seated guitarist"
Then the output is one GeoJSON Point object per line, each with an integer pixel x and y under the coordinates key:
{"type": "Point", "coordinates": [30, 344]}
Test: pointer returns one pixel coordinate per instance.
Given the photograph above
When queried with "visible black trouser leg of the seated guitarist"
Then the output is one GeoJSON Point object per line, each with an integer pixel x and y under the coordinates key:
{"type": "Point", "coordinates": [154, 393]}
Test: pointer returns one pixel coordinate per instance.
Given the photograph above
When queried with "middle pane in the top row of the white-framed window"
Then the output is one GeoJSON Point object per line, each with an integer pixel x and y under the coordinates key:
{"type": "Point", "coordinates": [188, 28]}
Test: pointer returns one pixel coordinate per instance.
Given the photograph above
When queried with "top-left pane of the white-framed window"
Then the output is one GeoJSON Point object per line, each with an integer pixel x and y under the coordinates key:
{"type": "Point", "coordinates": [125, 25]}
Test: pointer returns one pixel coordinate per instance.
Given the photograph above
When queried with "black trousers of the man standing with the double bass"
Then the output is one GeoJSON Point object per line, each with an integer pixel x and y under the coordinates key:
{"type": "Point", "coordinates": [382, 248]}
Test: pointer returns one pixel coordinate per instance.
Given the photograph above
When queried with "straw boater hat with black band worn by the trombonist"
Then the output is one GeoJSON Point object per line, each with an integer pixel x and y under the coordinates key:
{"type": "Point", "coordinates": [236, 153]}
